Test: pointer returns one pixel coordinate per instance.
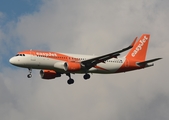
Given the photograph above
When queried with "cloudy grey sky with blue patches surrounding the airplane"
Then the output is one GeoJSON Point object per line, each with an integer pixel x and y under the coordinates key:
{"type": "Point", "coordinates": [87, 27]}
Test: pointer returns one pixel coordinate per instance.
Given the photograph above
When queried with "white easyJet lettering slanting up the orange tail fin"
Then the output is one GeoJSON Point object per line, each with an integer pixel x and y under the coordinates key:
{"type": "Point", "coordinates": [139, 47]}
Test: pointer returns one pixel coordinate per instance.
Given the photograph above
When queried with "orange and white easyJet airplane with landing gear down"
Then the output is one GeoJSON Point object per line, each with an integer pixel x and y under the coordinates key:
{"type": "Point", "coordinates": [54, 64]}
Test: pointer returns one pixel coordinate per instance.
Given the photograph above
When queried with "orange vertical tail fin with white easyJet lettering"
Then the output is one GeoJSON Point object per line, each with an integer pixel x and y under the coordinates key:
{"type": "Point", "coordinates": [139, 50]}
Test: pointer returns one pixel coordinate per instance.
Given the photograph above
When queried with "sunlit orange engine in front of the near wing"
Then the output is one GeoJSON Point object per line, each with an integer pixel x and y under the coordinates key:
{"type": "Point", "coordinates": [72, 66]}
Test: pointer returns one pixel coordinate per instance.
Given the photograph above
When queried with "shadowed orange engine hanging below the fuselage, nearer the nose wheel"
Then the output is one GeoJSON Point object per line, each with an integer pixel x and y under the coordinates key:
{"type": "Point", "coordinates": [49, 74]}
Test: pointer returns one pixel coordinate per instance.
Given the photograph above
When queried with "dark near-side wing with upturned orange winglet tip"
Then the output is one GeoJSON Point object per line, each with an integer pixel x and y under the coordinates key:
{"type": "Point", "coordinates": [94, 61]}
